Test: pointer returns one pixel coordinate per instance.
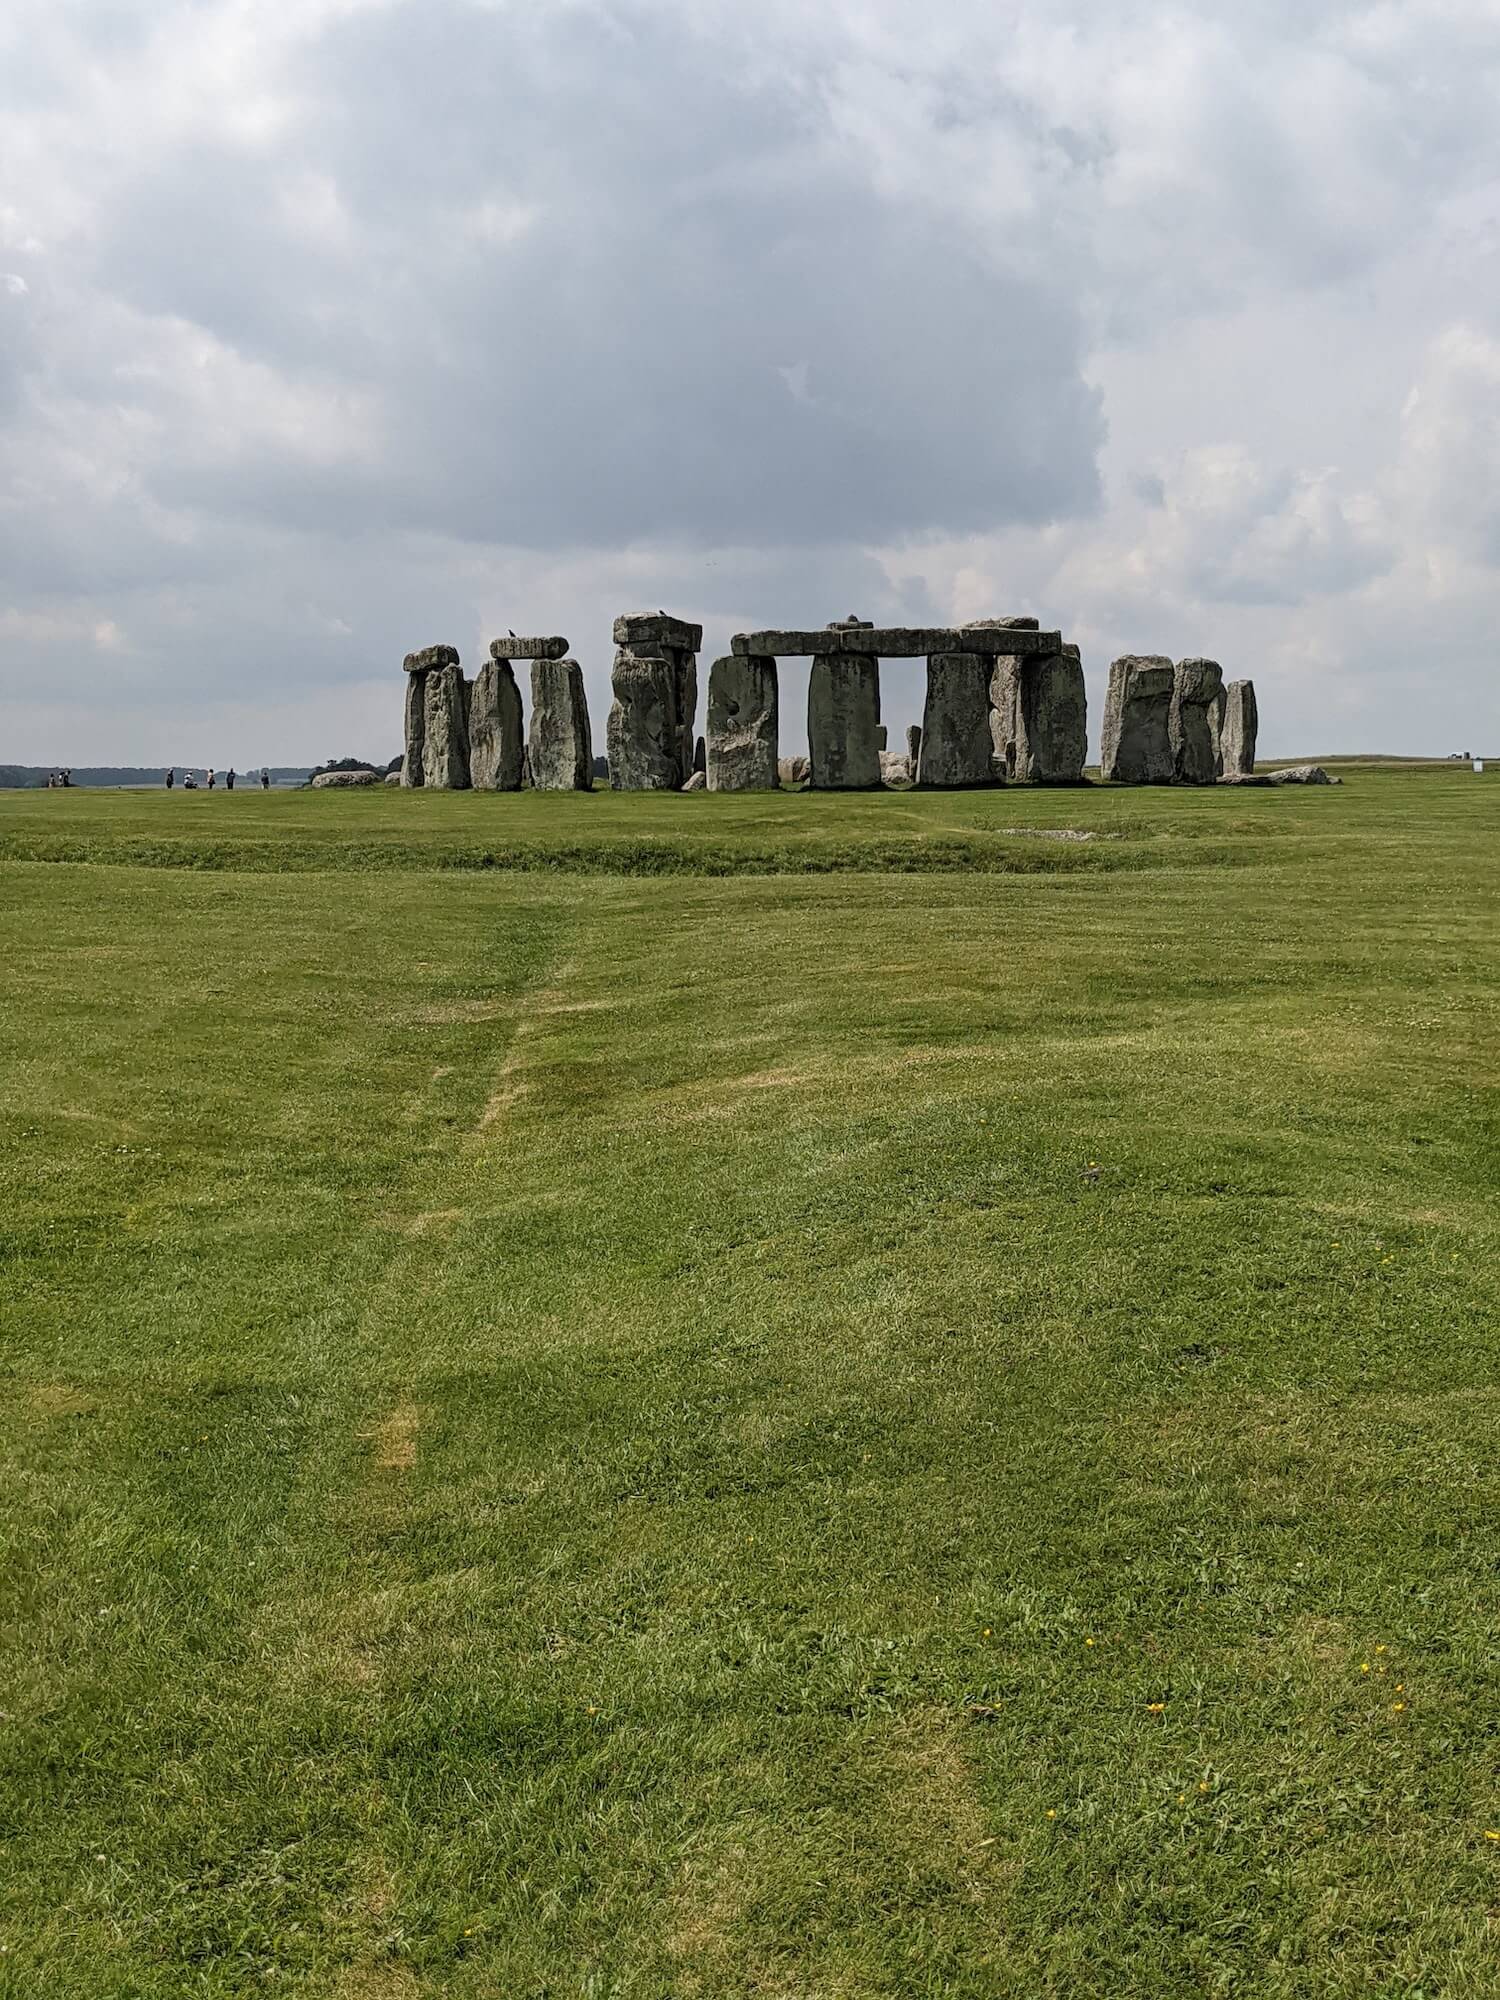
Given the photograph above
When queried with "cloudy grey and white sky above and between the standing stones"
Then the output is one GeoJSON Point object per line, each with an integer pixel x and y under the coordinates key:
{"type": "Point", "coordinates": [331, 329]}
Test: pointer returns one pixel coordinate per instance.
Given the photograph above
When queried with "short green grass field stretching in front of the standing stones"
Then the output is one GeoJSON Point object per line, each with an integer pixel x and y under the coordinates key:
{"type": "Point", "coordinates": [701, 1397]}
